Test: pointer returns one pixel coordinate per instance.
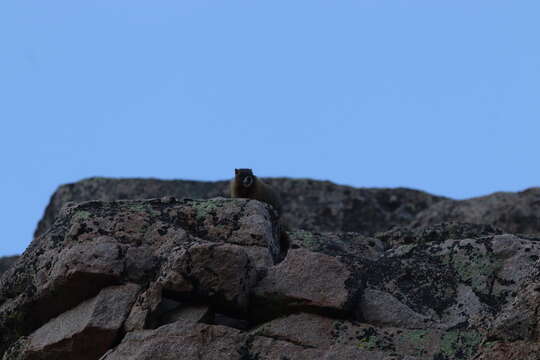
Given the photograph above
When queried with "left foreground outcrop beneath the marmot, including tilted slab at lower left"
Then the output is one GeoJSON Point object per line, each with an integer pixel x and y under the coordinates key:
{"type": "Point", "coordinates": [166, 254]}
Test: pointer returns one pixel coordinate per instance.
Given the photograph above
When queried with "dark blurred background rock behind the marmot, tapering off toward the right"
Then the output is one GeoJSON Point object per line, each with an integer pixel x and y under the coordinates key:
{"type": "Point", "coordinates": [308, 204]}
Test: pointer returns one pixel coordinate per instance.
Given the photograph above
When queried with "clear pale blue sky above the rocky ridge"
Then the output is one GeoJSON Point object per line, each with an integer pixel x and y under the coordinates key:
{"type": "Point", "coordinates": [441, 96]}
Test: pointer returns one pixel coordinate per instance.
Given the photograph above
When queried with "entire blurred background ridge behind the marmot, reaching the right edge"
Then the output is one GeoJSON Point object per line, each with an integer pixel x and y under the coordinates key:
{"type": "Point", "coordinates": [324, 206]}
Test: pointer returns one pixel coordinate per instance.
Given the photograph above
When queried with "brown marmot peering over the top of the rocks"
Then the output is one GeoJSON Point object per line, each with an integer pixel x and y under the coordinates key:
{"type": "Point", "coordinates": [246, 185]}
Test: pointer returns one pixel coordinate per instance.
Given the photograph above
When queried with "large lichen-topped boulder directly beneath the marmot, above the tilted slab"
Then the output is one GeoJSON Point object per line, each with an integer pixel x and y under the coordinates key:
{"type": "Point", "coordinates": [191, 250]}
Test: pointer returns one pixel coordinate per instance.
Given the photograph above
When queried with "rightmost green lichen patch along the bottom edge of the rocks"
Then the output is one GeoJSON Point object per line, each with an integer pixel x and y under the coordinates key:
{"type": "Point", "coordinates": [459, 344]}
